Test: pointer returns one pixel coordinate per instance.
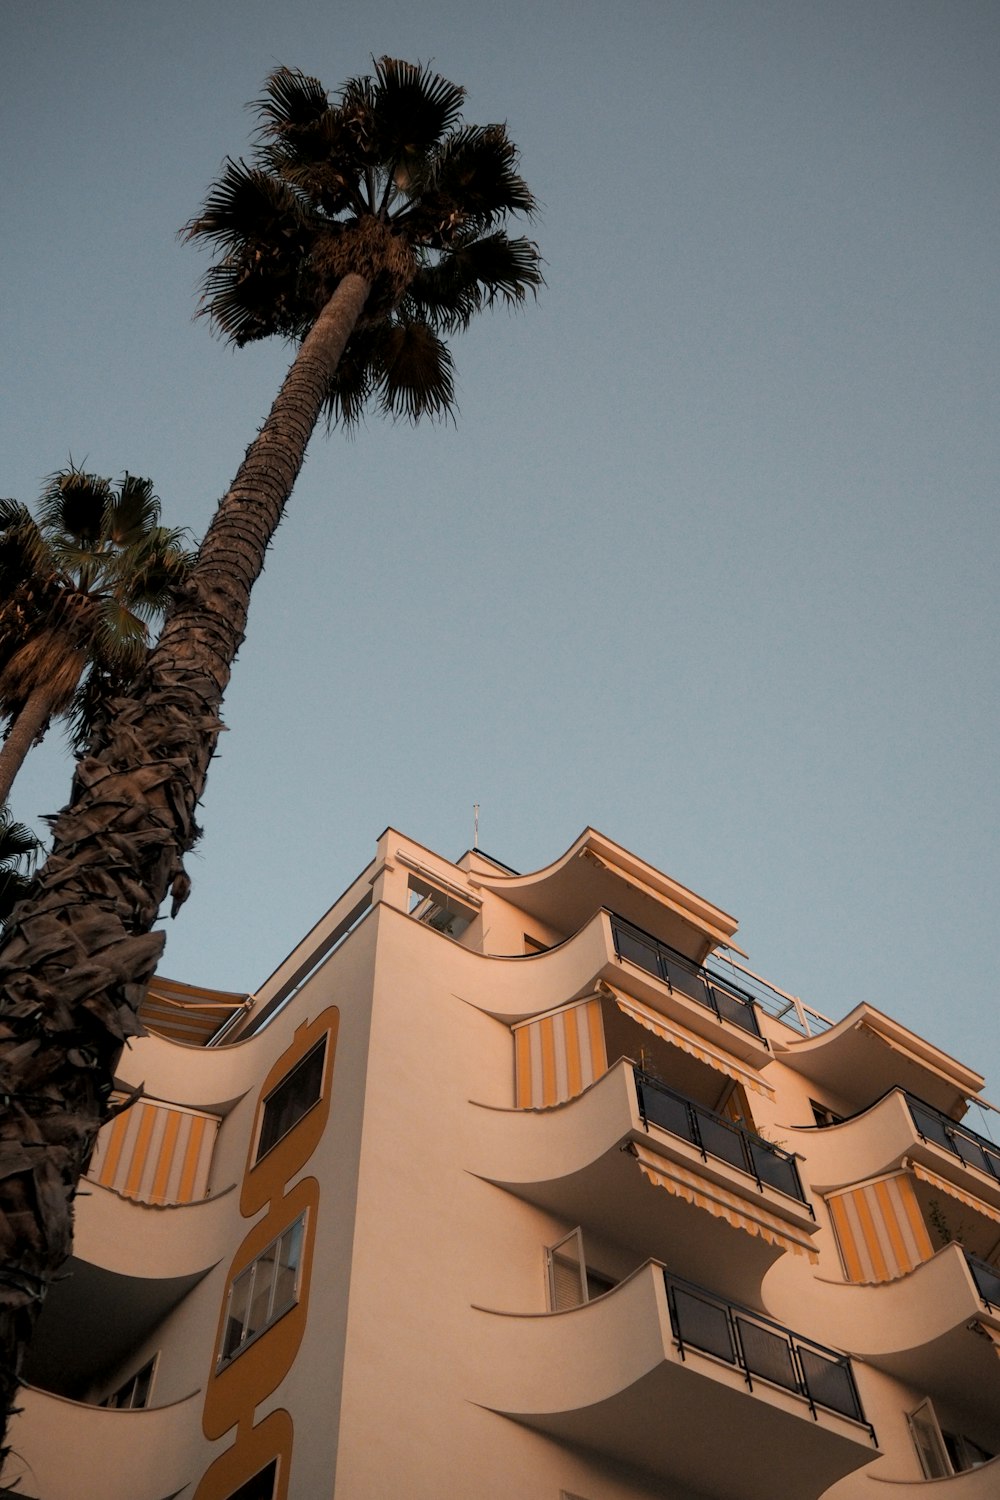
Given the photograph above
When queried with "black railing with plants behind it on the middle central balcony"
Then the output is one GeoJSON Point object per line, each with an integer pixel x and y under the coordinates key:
{"type": "Point", "coordinates": [717, 1136]}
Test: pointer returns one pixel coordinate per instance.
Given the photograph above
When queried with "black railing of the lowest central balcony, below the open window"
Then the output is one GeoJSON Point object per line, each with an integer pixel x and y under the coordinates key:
{"type": "Point", "coordinates": [764, 1351]}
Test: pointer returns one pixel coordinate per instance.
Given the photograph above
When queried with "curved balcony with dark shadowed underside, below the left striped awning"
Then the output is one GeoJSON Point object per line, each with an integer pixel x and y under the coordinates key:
{"type": "Point", "coordinates": [131, 1267]}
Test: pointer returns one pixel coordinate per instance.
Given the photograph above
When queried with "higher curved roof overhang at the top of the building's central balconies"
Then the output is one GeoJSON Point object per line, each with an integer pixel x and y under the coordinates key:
{"type": "Point", "coordinates": [597, 874]}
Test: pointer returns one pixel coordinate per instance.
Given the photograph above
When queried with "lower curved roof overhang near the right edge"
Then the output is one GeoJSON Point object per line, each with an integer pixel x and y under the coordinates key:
{"type": "Point", "coordinates": [867, 1054]}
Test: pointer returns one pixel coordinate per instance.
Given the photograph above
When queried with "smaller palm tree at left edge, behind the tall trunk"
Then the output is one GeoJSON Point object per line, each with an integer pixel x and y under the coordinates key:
{"type": "Point", "coordinates": [79, 589]}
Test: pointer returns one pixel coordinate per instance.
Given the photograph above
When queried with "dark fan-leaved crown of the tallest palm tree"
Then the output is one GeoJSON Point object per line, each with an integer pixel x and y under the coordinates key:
{"type": "Point", "coordinates": [386, 184]}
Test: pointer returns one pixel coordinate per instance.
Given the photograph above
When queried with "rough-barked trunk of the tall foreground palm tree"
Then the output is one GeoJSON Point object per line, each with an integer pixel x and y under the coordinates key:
{"type": "Point", "coordinates": [79, 956]}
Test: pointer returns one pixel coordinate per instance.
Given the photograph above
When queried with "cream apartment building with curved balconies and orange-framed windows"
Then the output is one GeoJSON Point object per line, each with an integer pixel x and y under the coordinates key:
{"type": "Point", "coordinates": [525, 1187]}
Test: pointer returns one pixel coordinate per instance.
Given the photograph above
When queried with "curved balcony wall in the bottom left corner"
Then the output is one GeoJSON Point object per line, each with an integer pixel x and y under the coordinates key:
{"type": "Point", "coordinates": [121, 1456]}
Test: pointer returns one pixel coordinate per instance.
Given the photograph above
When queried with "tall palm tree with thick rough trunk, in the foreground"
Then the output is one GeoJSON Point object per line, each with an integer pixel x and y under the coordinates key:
{"type": "Point", "coordinates": [365, 229]}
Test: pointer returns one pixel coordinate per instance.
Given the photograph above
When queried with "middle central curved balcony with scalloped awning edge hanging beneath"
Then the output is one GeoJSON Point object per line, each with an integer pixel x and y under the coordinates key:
{"type": "Point", "coordinates": [594, 1162]}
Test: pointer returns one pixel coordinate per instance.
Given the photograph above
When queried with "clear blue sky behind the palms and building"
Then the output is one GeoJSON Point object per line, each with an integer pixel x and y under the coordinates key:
{"type": "Point", "coordinates": [710, 560]}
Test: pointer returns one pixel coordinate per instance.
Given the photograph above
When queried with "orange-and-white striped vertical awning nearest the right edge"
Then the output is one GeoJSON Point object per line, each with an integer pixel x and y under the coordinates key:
{"type": "Point", "coordinates": [879, 1229]}
